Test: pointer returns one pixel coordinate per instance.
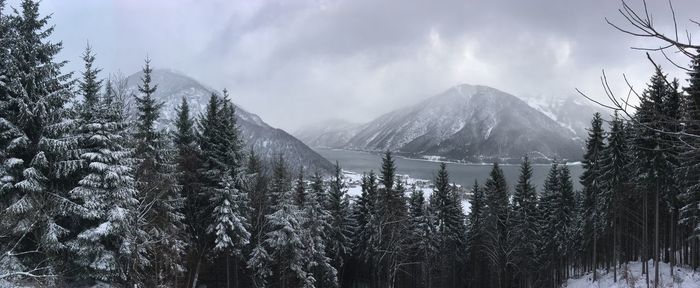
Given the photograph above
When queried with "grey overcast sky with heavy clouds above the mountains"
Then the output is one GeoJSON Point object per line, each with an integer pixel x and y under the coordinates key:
{"type": "Point", "coordinates": [299, 62]}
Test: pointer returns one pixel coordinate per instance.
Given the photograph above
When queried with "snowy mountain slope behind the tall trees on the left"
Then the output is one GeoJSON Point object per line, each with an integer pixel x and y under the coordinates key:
{"type": "Point", "coordinates": [265, 140]}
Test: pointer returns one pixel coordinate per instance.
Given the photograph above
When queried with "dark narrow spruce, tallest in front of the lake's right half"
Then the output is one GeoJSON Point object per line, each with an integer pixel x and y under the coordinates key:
{"type": "Point", "coordinates": [525, 226]}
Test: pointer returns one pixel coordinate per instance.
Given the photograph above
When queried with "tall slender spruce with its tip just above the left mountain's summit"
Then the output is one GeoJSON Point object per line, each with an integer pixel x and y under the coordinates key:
{"type": "Point", "coordinates": [158, 193]}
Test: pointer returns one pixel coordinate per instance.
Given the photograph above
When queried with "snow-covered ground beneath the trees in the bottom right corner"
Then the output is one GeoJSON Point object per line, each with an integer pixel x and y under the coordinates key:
{"type": "Point", "coordinates": [683, 278]}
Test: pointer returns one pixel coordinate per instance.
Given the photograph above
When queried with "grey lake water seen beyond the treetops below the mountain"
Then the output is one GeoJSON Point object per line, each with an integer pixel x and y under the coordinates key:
{"type": "Point", "coordinates": [460, 173]}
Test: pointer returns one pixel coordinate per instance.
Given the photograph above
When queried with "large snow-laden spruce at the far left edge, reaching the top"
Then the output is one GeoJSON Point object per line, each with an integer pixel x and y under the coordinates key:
{"type": "Point", "coordinates": [33, 126]}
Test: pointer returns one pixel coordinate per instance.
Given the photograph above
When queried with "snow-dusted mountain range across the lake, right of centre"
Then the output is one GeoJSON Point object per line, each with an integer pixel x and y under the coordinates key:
{"type": "Point", "coordinates": [467, 123]}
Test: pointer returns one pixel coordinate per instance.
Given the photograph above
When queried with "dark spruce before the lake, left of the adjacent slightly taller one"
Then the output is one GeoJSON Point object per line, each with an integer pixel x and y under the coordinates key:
{"type": "Point", "coordinates": [497, 223]}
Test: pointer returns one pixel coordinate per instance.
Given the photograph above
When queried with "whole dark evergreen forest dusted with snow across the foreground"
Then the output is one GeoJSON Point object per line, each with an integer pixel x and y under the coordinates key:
{"type": "Point", "coordinates": [91, 195]}
